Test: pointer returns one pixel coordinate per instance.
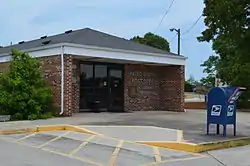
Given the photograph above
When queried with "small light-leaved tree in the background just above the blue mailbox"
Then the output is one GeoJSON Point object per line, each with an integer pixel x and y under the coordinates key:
{"type": "Point", "coordinates": [210, 69]}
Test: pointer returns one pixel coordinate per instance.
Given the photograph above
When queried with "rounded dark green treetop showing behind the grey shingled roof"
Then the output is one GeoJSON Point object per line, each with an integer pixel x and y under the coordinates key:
{"type": "Point", "coordinates": [152, 40]}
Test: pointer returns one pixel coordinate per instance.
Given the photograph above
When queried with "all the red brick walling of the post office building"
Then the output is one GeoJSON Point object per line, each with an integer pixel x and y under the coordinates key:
{"type": "Point", "coordinates": [157, 87]}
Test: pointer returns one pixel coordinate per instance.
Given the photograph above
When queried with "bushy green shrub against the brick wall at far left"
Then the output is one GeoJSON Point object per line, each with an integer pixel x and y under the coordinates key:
{"type": "Point", "coordinates": [24, 94]}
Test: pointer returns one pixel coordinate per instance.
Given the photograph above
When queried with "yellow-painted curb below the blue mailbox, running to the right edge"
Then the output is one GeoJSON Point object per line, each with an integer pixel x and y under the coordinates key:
{"type": "Point", "coordinates": [198, 148]}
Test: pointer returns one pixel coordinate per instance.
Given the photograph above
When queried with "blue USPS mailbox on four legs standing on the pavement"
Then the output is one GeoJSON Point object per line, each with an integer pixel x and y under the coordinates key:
{"type": "Point", "coordinates": [221, 107]}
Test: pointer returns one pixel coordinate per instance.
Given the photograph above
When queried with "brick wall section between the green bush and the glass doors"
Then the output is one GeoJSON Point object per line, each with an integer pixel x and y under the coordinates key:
{"type": "Point", "coordinates": [52, 66]}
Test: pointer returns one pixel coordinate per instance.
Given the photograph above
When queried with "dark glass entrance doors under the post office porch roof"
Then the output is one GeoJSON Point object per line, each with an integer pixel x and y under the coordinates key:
{"type": "Point", "coordinates": [101, 87]}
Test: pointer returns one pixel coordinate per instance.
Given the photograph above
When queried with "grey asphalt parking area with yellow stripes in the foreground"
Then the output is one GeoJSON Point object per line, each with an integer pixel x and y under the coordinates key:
{"type": "Point", "coordinates": [72, 148]}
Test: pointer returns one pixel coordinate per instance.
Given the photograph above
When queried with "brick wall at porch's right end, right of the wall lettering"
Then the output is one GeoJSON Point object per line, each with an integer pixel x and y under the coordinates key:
{"type": "Point", "coordinates": [172, 88]}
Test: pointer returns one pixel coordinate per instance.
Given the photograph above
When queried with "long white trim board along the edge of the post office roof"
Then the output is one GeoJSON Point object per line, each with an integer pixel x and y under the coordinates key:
{"type": "Point", "coordinates": [100, 52]}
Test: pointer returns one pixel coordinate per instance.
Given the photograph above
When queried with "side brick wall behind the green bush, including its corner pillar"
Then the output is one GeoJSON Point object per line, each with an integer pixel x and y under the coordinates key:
{"type": "Point", "coordinates": [52, 72]}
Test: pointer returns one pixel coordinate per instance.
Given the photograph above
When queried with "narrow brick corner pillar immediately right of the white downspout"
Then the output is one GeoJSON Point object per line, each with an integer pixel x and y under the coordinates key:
{"type": "Point", "coordinates": [68, 111]}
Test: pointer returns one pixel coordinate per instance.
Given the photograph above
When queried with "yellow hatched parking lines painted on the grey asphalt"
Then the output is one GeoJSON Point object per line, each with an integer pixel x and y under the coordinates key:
{"type": "Point", "coordinates": [112, 160]}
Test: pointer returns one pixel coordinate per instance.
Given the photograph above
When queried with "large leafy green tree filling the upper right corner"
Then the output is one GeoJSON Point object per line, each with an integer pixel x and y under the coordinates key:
{"type": "Point", "coordinates": [228, 24]}
